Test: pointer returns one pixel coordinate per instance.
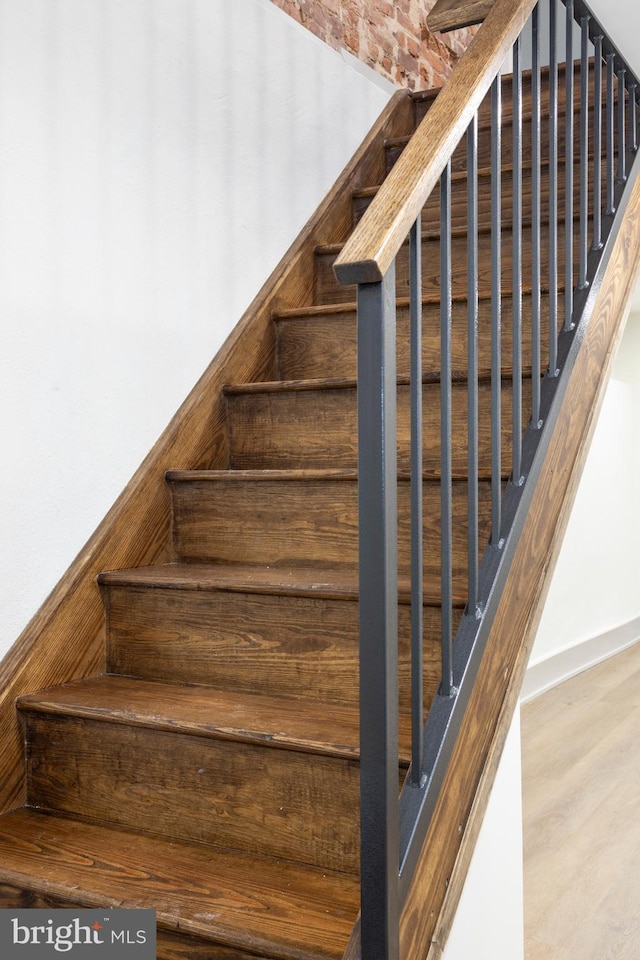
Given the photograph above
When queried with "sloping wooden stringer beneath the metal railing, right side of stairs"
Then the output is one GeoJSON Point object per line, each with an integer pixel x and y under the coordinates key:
{"type": "Point", "coordinates": [432, 902]}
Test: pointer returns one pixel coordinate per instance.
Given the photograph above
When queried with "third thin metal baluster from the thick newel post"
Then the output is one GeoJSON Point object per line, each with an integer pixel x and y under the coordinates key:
{"type": "Point", "coordinates": [472, 362]}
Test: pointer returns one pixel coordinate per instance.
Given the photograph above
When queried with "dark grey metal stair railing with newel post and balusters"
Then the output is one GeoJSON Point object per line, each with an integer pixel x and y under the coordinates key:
{"type": "Point", "coordinates": [393, 828]}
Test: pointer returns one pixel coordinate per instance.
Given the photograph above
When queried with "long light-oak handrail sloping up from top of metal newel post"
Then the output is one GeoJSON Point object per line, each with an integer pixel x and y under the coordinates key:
{"type": "Point", "coordinates": [383, 229]}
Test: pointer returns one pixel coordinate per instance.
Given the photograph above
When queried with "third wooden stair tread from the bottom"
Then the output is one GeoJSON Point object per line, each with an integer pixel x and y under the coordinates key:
{"type": "Point", "coordinates": [311, 580]}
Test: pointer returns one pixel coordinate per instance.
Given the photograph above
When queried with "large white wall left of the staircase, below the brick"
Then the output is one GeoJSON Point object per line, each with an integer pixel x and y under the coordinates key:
{"type": "Point", "coordinates": [157, 158]}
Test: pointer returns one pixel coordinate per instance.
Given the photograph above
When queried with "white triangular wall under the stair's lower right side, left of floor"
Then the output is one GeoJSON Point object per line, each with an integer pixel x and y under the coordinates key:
{"type": "Point", "coordinates": [489, 922]}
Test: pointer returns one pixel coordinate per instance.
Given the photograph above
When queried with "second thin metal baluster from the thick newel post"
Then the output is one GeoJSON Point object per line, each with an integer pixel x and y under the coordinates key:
{"type": "Point", "coordinates": [446, 498]}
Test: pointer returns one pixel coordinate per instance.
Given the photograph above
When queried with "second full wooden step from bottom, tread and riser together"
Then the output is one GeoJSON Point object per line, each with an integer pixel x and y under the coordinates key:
{"type": "Point", "coordinates": [156, 772]}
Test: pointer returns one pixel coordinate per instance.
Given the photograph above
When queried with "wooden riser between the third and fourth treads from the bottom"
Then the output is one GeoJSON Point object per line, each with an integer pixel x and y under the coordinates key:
{"type": "Point", "coordinates": [235, 519]}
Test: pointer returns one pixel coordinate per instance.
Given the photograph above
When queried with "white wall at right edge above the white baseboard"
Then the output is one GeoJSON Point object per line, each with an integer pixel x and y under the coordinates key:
{"type": "Point", "coordinates": [596, 589]}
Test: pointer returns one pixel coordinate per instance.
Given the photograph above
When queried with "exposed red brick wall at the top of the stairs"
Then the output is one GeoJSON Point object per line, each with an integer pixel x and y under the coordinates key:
{"type": "Point", "coordinates": [389, 35]}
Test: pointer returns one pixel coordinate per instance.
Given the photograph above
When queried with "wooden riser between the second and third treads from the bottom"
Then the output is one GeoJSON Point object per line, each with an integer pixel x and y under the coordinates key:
{"type": "Point", "coordinates": [272, 644]}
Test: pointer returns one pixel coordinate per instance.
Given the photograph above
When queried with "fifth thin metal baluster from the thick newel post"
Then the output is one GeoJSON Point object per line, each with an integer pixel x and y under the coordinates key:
{"type": "Point", "coordinates": [517, 265]}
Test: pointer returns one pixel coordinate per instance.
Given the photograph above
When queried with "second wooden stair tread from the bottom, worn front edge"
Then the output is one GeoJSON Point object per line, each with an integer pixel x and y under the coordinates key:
{"type": "Point", "coordinates": [287, 723]}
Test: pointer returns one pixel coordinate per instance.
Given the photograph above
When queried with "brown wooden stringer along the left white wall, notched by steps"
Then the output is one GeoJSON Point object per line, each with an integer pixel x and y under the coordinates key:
{"type": "Point", "coordinates": [65, 639]}
